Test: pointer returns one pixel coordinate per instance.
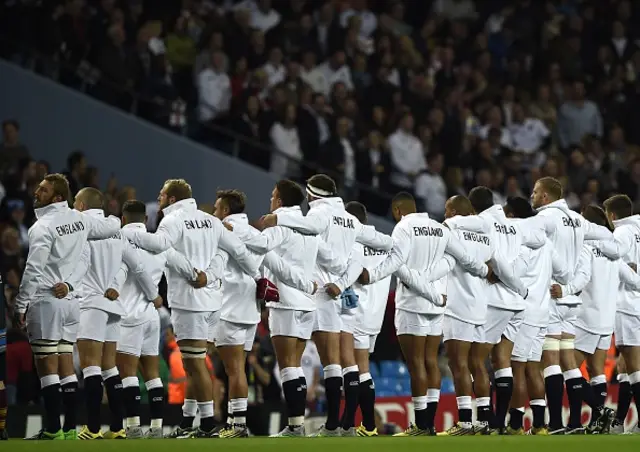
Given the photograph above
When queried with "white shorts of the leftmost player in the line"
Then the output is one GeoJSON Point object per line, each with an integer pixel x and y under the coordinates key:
{"type": "Point", "coordinates": [53, 320]}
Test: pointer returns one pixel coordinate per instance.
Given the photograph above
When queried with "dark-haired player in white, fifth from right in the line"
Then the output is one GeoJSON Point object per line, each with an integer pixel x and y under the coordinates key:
{"type": "Point", "coordinates": [506, 302]}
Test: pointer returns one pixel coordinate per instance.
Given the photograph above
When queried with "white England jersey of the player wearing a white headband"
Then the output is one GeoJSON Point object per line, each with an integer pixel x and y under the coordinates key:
{"type": "Point", "coordinates": [339, 229]}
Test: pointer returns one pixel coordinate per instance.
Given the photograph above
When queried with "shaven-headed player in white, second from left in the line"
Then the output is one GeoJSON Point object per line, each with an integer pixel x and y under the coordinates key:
{"type": "Point", "coordinates": [100, 313]}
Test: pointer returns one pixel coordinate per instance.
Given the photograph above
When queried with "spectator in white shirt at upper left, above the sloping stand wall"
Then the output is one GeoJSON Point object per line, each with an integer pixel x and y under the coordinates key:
{"type": "Point", "coordinates": [214, 90]}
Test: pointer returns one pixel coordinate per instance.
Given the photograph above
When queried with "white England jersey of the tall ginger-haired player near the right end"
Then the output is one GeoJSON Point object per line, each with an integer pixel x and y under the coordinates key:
{"type": "Point", "coordinates": [567, 230]}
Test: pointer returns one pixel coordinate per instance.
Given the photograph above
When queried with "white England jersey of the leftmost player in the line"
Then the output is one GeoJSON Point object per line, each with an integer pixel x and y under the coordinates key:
{"type": "Point", "coordinates": [56, 243]}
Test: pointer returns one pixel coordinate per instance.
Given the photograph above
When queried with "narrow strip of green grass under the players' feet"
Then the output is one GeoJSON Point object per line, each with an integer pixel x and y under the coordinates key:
{"type": "Point", "coordinates": [384, 444]}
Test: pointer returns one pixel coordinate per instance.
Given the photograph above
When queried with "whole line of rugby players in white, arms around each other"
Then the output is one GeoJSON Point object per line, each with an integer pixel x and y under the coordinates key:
{"type": "Point", "coordinates": [326, 276]}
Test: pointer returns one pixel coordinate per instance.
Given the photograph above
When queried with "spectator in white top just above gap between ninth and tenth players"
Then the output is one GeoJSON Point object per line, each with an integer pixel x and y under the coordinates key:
{"type": "Point", "coordinates": [431, 188]}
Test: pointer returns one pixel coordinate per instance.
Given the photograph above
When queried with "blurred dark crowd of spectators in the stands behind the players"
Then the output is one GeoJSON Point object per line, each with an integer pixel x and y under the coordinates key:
{"type": "Point", "coordinates": [429, 96]}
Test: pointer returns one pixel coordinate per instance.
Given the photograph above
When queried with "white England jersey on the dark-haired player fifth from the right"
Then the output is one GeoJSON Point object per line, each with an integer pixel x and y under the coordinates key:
{"type": "Point", "coordinates": [508, 237]}
